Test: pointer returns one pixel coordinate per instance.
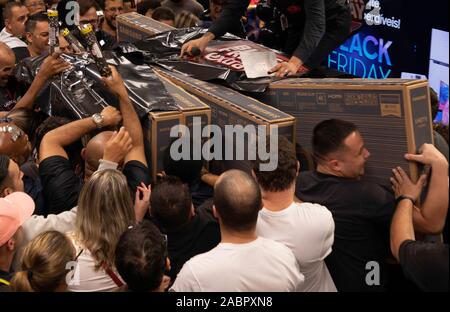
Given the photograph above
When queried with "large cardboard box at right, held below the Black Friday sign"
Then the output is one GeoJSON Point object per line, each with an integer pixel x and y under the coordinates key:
{"type": "Point", "coordinates": [393, 115]}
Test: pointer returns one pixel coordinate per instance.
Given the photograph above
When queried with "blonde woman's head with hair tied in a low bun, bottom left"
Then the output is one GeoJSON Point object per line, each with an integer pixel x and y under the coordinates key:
{"type": "Point", "coordinates": [45, 264]}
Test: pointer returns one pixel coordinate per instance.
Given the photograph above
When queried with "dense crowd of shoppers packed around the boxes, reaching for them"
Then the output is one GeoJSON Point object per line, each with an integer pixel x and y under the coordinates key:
{"type": "Point", "coordinates": [79, 211]}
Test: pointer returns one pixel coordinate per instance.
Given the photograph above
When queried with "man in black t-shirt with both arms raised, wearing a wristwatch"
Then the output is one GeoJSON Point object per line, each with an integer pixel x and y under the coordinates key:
{"type": "Point", "coordinates": [61, 184]}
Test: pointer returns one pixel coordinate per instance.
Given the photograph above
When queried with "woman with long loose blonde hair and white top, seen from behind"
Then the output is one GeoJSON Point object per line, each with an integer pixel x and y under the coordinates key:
{"type": "Point", "coordinates": [105, 211]}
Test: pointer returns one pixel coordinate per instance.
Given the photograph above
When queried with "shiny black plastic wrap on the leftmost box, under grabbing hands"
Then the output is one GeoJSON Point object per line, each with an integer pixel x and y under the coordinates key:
{"type": "Point", "coordinates": [79, 92]}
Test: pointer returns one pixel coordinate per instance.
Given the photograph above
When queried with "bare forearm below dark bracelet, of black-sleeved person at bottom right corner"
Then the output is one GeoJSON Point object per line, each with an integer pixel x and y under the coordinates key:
{"type": "Point", "coordinates": [402, 226]}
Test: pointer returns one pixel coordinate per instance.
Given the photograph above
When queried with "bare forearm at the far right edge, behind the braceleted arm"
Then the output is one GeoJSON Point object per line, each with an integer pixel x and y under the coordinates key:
{"type": "Point", "coordinates": [430, 218]}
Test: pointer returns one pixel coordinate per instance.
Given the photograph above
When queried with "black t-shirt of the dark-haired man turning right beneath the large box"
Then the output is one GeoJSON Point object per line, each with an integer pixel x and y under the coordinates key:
{"type": "Point", "coordinates": [361, 212]}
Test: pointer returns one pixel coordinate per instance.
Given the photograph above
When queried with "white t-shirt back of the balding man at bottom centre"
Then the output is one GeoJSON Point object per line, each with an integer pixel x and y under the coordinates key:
{"type": "Point", "coordinates": [262, 265]}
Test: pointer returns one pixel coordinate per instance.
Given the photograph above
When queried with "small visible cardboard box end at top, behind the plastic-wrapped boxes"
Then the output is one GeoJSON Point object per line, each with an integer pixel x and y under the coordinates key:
{"type": "Point", "coordinates": [133, 27]}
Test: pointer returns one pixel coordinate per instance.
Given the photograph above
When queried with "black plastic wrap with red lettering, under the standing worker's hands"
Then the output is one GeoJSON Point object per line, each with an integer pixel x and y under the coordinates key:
{"type": "Point", "coordinates": [220, 62]}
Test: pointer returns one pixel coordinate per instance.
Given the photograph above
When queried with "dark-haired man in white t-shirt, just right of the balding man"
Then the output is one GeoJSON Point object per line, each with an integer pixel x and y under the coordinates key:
{"type": "Point", "coordinates": [306, 228]}
